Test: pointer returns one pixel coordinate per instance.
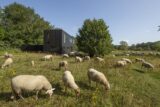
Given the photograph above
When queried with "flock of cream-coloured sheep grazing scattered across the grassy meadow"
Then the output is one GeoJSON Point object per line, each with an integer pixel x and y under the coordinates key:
{"type": "Point", "coordinates": [39, 82]}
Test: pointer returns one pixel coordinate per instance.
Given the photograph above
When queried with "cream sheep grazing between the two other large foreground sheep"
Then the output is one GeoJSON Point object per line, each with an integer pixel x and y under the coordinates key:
{"type": "Point", "coordinates": [69, 81]}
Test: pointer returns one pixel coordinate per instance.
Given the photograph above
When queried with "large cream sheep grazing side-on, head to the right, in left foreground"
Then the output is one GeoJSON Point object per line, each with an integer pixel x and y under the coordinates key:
{"type": "Point", "coordinates": [30, 83]}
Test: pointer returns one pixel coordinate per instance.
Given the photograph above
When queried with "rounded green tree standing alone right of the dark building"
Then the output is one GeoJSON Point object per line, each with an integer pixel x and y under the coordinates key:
{"type": "Point", "coordinates": [94, 37]}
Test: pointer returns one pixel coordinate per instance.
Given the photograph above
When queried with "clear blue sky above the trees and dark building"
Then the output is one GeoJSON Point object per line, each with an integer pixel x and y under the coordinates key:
{"type": "Point", "coordinates": [132, 20]}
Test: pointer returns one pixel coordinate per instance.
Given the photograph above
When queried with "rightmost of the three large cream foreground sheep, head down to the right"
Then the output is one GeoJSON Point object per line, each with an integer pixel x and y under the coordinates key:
{"type": "Point", "coordinates": [98, 77]}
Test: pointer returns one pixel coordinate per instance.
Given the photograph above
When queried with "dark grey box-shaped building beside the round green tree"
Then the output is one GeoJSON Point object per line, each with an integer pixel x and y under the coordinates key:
{"type": "Point", "coordinates": [58, 41]}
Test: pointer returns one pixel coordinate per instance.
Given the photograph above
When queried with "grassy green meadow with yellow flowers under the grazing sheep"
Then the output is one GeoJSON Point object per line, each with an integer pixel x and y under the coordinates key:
{"type": "Point", "coordinates": [131, 86]}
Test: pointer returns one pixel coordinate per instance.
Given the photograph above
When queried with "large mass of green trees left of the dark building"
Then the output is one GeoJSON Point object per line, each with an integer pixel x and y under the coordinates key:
{"type": "Point", "coordinates": [22, 25]}
